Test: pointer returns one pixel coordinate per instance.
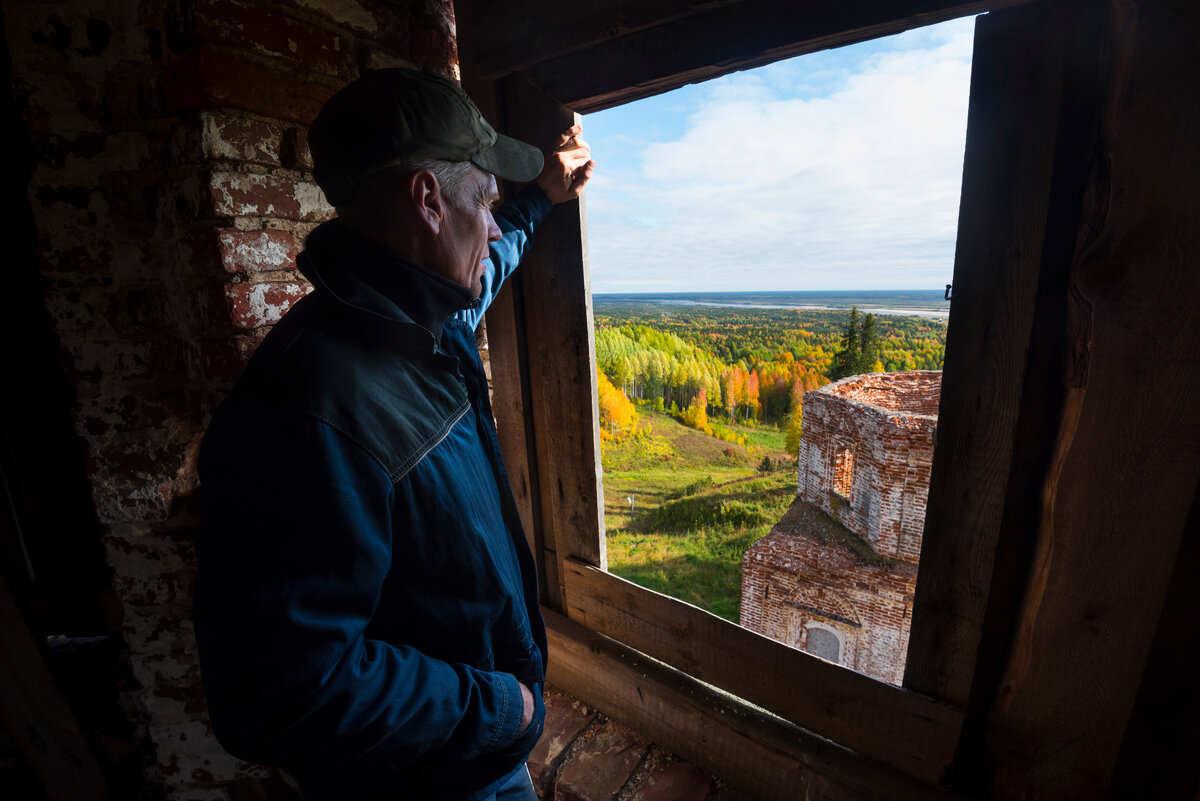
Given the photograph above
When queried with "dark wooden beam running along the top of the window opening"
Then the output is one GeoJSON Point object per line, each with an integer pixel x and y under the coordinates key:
{"type": "Point", "coordinates": [725, 39]}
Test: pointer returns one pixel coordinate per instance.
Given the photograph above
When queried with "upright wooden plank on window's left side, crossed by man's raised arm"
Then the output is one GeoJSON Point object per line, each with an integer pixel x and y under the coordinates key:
{"type": "Point", "coordinates": [561, 354]}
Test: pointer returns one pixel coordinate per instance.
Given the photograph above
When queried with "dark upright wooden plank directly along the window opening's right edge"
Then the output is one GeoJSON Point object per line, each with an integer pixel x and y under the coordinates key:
{"type": "Point", "coordinates": [1006, 179]}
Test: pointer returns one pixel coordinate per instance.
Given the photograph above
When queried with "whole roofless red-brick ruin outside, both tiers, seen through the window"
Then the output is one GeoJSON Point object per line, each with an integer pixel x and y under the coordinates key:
{"type": "Point", "coordinates": [837, 576]}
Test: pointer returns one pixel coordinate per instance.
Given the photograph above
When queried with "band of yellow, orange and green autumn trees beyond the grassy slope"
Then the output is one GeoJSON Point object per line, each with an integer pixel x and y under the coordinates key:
{"type": "Point", "coordinates": [745, 365]}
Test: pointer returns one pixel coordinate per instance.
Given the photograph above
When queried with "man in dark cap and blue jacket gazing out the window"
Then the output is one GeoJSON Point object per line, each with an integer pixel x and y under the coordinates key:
{"type": "Point", "coordinates": [367, 605]}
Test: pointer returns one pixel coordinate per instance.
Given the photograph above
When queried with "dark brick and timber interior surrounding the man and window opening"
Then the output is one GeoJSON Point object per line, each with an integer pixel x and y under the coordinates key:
{"type": "Point", "coordinates": [152, 221]}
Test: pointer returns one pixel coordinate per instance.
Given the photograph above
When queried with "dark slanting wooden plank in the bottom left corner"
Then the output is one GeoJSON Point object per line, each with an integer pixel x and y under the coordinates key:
{"type": "Point", "coordinates": [37, 718]}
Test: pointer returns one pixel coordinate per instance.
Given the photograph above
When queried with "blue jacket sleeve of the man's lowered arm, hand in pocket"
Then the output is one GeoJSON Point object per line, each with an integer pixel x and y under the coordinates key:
{"type": "Point", "coordinates": [293, 550]}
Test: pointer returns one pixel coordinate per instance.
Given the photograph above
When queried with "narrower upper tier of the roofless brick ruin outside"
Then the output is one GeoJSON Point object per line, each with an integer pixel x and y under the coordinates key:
{"type": "Point", "coordinates": [887, 423]}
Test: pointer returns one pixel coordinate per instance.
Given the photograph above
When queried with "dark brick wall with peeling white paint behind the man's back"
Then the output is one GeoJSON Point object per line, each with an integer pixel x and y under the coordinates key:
{"type": "Point", "coordinates": [171, 192]}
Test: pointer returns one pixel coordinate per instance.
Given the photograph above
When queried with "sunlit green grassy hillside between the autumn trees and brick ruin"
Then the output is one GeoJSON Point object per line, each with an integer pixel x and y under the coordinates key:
{"type": "Point", "coordinates": [698, 504]}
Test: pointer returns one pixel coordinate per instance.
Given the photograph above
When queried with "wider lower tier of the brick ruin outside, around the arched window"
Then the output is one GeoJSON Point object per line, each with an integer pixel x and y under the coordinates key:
{"type": "Point", "coordinates": [793, 582]}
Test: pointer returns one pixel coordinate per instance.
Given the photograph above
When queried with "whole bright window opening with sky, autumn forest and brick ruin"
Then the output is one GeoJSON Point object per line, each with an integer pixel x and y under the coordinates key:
{"type": "Point", "coordinates": [764, 394]}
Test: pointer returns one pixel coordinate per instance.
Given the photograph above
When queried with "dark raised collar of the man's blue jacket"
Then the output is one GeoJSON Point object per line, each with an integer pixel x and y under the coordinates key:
{"type": "Point", "coordinates": [371, 279]}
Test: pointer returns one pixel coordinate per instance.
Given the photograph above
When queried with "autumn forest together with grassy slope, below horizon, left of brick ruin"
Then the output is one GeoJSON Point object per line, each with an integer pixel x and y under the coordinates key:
{"type": "Point", "coordinates": [701, 413]}
